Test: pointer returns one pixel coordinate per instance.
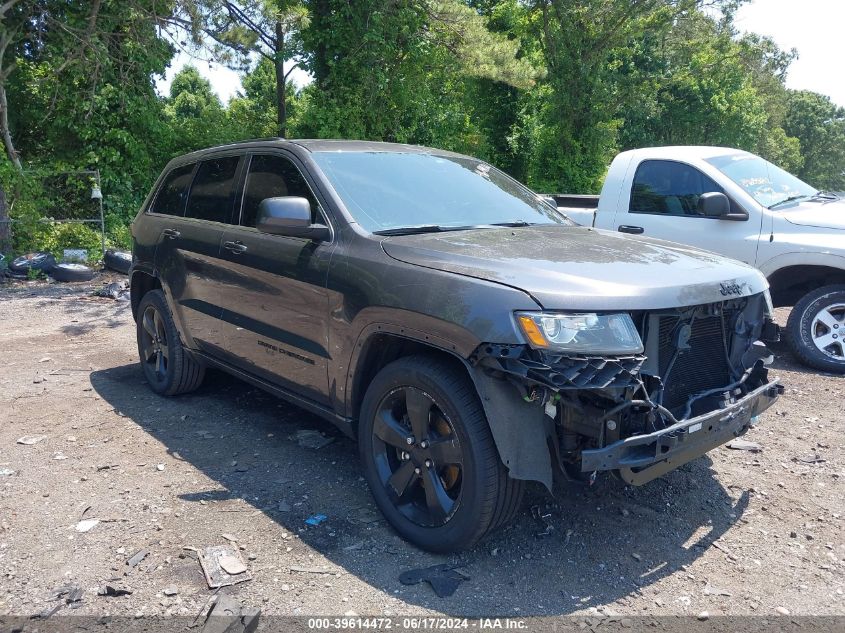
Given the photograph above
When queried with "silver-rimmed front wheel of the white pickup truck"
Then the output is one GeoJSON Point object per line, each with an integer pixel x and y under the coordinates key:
{"type": "Point", "coordinates": [816, 329]}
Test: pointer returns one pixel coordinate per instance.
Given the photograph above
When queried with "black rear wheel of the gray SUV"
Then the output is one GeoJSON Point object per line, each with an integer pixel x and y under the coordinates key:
{"type": "Point", "coordinates": [170, 369]}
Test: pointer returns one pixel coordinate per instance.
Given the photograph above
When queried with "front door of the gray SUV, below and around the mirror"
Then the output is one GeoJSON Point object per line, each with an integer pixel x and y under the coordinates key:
{"type": "Point", "coordinates": [276, 304]}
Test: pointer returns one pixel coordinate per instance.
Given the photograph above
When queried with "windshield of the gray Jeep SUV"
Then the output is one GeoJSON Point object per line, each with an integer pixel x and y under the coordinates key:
{"type": "Point", "coordinates": [387, 190]}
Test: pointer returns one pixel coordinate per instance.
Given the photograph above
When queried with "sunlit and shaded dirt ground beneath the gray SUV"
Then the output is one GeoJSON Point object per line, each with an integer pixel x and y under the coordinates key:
{"type": "Point", "coordinates": [731, 533]}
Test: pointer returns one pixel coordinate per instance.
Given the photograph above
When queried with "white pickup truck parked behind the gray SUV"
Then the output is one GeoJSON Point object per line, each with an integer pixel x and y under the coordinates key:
{"type": "Point", "coordinates": [737, 204]}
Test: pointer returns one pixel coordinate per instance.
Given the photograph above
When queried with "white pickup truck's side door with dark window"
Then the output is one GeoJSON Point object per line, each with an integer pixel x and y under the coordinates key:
{"type": "Point", "coordinates": [660, 201]}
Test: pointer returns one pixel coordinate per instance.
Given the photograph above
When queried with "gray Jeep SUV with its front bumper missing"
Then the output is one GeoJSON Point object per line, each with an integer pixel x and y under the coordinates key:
{"type": "Point", "coordinates": [468, 335]}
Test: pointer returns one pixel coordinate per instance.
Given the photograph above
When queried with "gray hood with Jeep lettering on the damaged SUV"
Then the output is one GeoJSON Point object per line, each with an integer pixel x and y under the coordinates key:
{"type": "Point", "coordinates": [577, 268]}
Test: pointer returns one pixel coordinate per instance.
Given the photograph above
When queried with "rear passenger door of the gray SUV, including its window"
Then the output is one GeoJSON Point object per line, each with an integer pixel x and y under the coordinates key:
{"type": "Point", "coordinates": [188, 255]}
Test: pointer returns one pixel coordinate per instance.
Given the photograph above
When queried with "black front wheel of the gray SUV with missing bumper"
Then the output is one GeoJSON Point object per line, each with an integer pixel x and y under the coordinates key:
{"type": "Point", "coordinates": [429, 457]}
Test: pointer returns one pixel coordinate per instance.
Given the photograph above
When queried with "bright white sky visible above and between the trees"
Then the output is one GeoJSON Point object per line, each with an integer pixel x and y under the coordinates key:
{"type": "Point", "coordinates": [816, 28]}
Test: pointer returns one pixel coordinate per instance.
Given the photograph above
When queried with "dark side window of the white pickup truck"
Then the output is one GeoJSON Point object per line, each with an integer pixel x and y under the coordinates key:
{"type": "Point", "coordinates": [665, 187]}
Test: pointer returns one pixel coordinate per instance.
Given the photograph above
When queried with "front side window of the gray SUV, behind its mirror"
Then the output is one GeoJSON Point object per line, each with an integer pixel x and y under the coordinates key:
{"type": "Point", "coordinates": [272, 176]}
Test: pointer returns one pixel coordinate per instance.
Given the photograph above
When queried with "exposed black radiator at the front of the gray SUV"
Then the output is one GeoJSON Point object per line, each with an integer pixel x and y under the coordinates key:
{"type": "Point", "coordinates": [701, 367]}
